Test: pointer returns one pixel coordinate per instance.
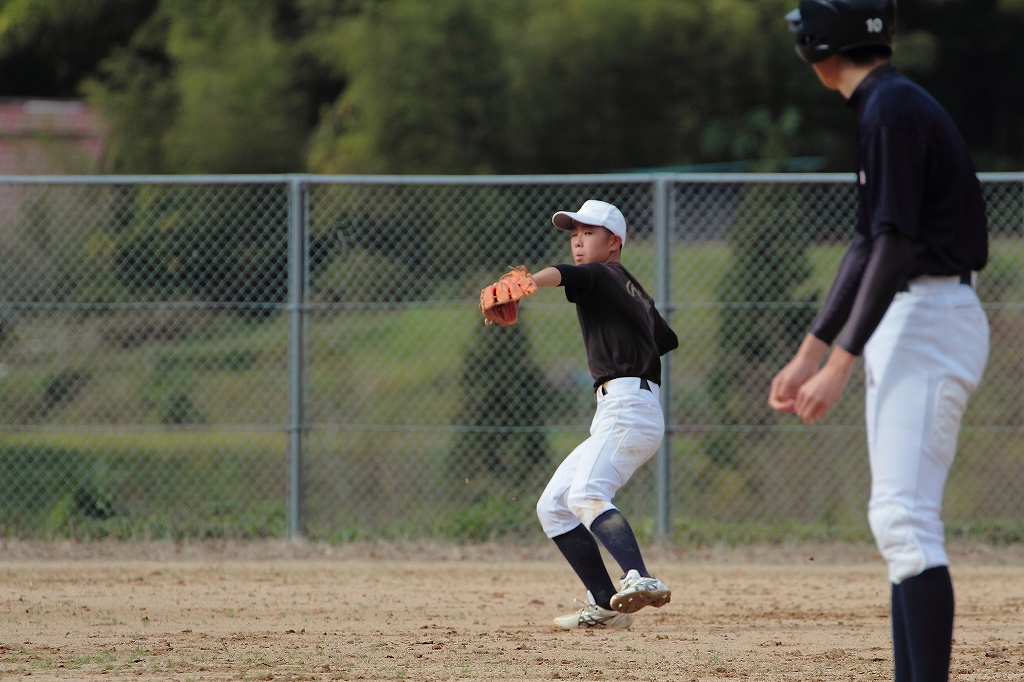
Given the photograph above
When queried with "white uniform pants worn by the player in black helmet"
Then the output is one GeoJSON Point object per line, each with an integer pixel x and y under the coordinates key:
{"type": "Point", "coordinates": [922, 365]}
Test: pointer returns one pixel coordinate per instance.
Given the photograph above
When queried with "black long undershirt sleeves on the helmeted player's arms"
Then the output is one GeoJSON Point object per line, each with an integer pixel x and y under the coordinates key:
{"type": "Point", "coordinates": [870, 277]}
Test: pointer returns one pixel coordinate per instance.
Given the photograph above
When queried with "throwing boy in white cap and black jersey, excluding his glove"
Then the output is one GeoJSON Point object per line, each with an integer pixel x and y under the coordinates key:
{"type": "Point", "coordinates": [625, 337]}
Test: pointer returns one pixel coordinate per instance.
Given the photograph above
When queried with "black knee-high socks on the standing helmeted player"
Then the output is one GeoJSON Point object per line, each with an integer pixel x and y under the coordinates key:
{"type": "Point", "coordinates": [926, 606]}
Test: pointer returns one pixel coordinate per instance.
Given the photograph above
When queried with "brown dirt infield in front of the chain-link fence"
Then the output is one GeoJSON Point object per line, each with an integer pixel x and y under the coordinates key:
{"type": "Point", "coordinates": [221, 617]}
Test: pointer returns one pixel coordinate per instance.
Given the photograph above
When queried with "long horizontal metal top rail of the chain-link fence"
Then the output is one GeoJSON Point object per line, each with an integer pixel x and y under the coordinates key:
{"type": "Point", "coordinates": [697, 179]}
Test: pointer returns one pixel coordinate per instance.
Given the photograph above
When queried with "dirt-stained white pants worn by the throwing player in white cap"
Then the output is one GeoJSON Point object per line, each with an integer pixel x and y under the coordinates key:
{"type": "Point", "coordinates": [626, 433]}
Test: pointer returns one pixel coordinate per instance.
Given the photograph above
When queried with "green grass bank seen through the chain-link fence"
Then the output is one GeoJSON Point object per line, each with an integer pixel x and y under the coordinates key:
{"type": "Point", "coordinates": [81, 466]}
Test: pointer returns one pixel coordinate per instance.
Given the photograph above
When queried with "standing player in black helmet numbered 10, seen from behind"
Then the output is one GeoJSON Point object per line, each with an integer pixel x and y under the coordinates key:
{"type": "Point", "coordinates": [905, 299]}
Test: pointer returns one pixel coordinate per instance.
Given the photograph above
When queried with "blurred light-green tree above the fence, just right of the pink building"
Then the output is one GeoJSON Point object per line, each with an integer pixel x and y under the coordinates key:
{"type": "Point", "coordinates": [218, 88]}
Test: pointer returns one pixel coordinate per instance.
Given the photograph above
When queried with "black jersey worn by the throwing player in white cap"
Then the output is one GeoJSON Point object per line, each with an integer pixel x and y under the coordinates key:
{"type": "Point", "coordinates": [624, 334]}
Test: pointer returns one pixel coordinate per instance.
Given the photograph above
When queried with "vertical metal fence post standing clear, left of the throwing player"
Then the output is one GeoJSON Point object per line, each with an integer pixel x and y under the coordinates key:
{"type": "Point", "coordinates": [296, 345]}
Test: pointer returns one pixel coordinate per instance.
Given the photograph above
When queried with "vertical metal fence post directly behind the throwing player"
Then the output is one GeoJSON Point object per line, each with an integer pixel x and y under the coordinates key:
{"type": "Point", "coordinates": [663, 300]}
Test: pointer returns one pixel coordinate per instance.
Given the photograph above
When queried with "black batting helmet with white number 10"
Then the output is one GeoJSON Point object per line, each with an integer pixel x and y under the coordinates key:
{"type": "Point", "coordinates": [825, 28]}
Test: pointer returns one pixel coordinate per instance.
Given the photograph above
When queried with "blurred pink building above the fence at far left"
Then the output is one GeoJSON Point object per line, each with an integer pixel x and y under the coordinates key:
{"type": "Point", "coordinates": [51, 138]}
